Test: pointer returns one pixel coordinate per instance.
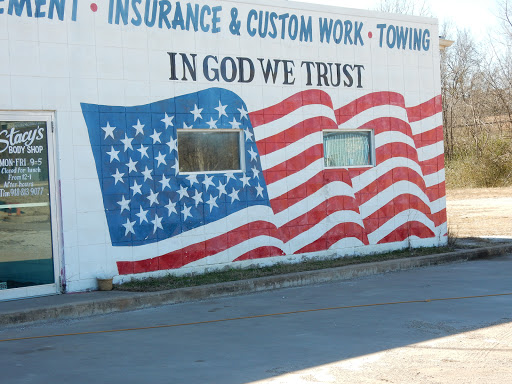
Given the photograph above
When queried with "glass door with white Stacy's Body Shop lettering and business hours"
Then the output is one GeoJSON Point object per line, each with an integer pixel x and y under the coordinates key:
{"type": "Point", "coordinates": [27, 196]}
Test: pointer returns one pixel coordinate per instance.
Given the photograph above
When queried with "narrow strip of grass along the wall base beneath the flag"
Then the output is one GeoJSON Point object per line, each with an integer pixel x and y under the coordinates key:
{"type": "Point", "coordinates": [235, 274]}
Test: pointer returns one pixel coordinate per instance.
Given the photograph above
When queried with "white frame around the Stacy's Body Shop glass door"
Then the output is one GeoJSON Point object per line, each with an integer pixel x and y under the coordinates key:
{"type": "Point", "coordinates": [55, 205]}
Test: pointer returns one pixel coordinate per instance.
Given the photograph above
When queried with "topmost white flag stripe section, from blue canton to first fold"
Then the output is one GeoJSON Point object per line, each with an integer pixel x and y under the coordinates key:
{"type": "Point", "coordinates": [265, 131]}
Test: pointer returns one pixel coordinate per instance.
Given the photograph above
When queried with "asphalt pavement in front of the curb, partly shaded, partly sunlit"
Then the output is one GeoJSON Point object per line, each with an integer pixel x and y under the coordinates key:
{"type": "Point", "coordinates": [330, 333]}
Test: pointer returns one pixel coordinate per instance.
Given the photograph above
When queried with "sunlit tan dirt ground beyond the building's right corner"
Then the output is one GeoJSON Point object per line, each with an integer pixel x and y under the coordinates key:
{"type": "Point", "coordinates": [485, 212]}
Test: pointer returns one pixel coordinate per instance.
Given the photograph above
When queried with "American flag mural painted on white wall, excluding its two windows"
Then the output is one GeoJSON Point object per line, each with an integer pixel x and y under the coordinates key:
{"type": "Point", "coordinates": [284, 201]}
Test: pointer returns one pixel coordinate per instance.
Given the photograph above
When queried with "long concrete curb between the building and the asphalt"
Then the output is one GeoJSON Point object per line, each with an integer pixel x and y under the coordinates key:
{"type": "Point", "coordinates": [95, 303]}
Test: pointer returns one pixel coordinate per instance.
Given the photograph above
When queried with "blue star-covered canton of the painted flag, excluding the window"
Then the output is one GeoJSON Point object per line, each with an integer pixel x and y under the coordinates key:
{"type": "Point", "coordinates": [146, 198]}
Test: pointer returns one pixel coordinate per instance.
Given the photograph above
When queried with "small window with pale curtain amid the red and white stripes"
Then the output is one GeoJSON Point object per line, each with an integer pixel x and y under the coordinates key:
{"type": "Point", "coordinates": [348, 148]}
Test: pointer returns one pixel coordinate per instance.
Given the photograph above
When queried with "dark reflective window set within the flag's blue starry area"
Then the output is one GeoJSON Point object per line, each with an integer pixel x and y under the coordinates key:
{"type": "Point", "coordinates": [209, 151]}
